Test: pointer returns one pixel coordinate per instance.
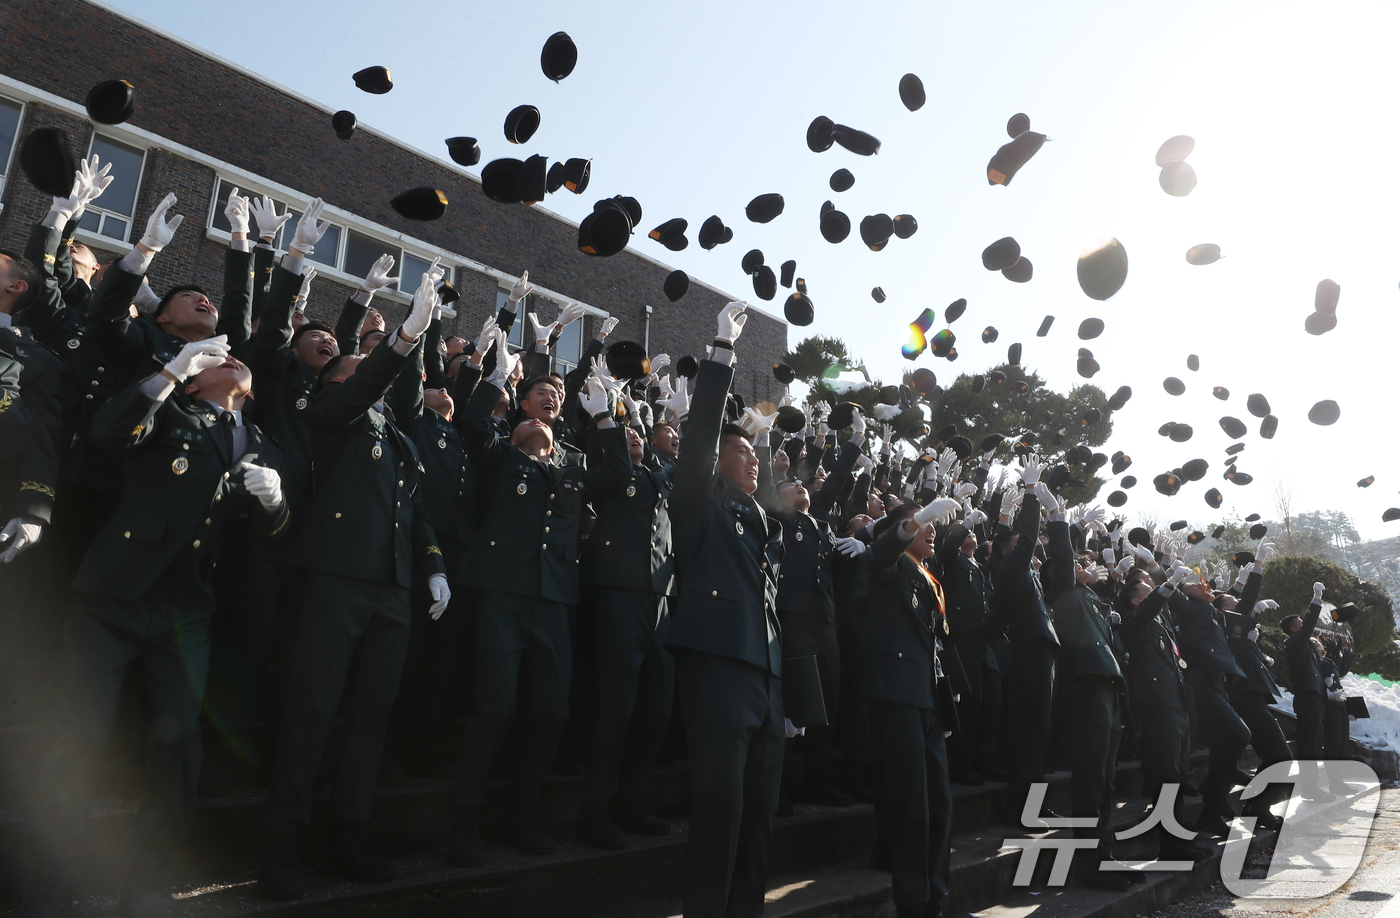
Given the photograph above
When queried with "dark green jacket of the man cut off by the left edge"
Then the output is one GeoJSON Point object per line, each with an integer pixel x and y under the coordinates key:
{"type": "Point", "coordinates": [30, 478]}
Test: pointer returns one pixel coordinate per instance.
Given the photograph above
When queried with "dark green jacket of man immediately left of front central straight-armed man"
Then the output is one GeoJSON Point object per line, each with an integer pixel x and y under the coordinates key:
{"type": "Point", "coordinates": [631, 545]}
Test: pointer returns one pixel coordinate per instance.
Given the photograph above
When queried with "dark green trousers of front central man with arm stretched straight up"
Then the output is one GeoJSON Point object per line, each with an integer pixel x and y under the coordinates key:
{"type": "Point", "coordinates": [733, 714]}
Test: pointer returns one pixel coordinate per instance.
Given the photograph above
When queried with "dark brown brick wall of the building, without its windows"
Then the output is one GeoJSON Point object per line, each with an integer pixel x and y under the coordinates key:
{"type": "Point", "coordinates": [66, 47]}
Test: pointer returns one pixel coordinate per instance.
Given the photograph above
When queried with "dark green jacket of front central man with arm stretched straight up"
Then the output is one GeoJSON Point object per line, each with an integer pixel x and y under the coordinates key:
{"type": "Point", "coordinates": [729, 552]}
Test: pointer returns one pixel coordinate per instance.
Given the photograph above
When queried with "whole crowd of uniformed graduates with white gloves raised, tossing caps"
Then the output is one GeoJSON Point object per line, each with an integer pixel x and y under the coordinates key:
{"type": "Point", "coordinates": [591, 573]}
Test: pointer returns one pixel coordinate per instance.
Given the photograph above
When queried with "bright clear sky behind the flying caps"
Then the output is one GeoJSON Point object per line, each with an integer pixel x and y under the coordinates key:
{"type": "Point", "coordinates": [698, 108]}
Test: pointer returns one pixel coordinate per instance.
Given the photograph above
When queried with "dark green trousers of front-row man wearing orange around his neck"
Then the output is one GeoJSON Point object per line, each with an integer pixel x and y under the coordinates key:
{"type": "Point", "coordinates": [915, 803]}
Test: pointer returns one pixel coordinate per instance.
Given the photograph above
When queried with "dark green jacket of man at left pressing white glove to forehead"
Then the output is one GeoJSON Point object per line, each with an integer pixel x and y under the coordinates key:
{"type": "Point", "coordinates": [183, 488]}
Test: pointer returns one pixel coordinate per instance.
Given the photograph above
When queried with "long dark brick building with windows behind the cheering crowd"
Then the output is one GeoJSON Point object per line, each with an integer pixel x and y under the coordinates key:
{"type": "Point", "coordinates": [204, 125]}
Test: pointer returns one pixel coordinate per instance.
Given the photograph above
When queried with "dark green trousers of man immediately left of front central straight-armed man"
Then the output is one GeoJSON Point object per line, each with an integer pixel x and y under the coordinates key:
{"type": "Point", "coordinates": [636, 681]}
